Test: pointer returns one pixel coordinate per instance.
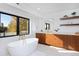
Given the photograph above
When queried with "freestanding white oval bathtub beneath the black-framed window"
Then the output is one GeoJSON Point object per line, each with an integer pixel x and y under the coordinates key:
{"type": "Point", "coordinates": [23, 47]}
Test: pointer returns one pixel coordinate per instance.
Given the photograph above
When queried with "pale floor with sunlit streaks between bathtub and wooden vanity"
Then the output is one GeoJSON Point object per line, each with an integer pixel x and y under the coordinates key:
{"type": "Point", "coordinates": [44, 50]}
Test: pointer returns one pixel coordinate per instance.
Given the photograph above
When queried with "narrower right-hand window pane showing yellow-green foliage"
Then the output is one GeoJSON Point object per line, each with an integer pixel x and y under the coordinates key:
{"type": "Point", "coordinates": [23, 25]}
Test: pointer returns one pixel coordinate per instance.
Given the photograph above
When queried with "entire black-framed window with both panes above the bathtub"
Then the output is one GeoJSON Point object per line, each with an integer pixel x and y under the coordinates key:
{"type": "Point", "coordinates": [11, 25]}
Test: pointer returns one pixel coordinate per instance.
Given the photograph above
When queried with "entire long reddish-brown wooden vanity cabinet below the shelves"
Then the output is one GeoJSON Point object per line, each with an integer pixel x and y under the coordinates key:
{"type": "Point", "coordinates": [59, 40]}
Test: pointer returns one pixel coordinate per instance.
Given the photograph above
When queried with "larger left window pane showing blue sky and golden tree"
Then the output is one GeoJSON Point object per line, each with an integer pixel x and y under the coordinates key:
{"type": "Point", "coordinates": [7, 25]}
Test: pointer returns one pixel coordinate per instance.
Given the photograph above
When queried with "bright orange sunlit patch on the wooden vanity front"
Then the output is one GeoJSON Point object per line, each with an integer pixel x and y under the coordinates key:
{"type": "Point", "coordinates": [53, 40]}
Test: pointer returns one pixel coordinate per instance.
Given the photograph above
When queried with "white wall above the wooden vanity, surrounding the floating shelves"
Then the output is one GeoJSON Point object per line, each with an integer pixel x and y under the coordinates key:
{"type": "Point", "coordinates": [55, 22]}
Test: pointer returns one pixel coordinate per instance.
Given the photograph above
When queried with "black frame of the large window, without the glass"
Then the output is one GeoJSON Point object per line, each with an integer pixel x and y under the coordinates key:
{"type": "Point", "coordinates": [17, 24]}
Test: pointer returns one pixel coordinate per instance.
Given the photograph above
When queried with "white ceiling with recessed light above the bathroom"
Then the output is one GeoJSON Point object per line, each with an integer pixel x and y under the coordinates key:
{"type": "Point", "coordinates": [45, 9]}
